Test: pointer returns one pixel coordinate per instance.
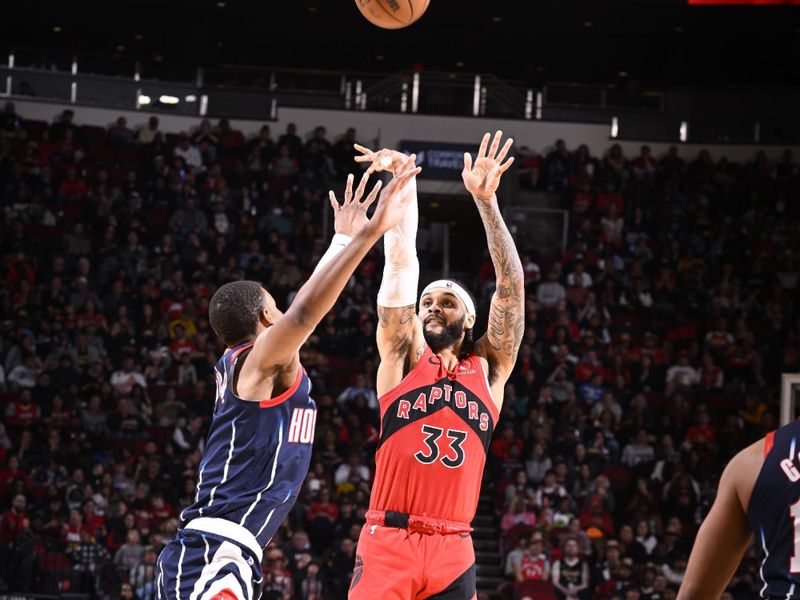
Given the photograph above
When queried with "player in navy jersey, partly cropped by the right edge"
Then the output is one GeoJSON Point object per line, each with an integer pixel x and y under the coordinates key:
{"type": "Point", "coordinates": [758, 496]}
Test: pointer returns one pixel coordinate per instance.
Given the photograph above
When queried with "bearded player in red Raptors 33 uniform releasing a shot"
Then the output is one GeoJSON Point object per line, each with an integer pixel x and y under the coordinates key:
{"type": "Point", "coordinates": [440, 396]}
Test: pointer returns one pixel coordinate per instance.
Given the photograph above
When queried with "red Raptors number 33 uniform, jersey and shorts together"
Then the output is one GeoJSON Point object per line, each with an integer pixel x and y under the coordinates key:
{"type": "Point", "coordinates": [436, 426]}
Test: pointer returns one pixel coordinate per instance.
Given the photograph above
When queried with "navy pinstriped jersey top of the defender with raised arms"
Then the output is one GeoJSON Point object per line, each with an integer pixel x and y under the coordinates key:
{"type": "Point", "coordinates": [257, 453]}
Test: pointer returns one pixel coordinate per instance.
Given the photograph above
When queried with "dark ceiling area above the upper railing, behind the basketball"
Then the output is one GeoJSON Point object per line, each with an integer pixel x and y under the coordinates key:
{"type": "Point", "coordinates": [662, 42]}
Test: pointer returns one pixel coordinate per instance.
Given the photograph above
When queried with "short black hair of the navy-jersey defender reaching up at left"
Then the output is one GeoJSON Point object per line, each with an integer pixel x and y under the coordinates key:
{"type": "Point", "coordinates": [234, 311]}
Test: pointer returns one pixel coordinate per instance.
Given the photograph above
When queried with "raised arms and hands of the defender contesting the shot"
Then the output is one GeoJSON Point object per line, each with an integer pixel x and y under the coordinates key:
{"type": "Point", "coordinates": [279, 345]}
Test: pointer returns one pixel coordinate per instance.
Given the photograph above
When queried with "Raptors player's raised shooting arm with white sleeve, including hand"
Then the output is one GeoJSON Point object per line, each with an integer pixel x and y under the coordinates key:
{"type": "Point", "coordinates": [399, 332]}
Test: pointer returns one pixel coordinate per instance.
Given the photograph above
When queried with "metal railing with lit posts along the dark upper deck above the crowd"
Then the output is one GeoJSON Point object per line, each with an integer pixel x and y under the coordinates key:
{"type": "Point", "coordinates": [641, 113]}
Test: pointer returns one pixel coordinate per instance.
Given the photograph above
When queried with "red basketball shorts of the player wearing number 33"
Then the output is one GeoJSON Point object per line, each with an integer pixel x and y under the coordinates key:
{"type": "Point", "coordinates": [396, 563]}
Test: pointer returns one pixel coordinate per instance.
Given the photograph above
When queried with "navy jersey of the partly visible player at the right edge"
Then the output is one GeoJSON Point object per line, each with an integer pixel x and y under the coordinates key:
{"type": "Point", "coordinates": [774, 514]}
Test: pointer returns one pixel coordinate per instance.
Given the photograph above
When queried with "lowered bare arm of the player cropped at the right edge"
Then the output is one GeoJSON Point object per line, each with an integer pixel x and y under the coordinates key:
{"type": "Point", "coordinates": [725, 533]}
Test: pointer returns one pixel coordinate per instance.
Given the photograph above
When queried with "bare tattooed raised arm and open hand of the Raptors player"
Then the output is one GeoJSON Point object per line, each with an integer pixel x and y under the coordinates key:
{"type": "Point", "coordinates": [507, 313]}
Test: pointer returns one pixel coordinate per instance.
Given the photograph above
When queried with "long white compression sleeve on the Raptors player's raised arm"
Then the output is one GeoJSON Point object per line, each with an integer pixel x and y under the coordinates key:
{"type": "Point", "coordinates": [401, 271]}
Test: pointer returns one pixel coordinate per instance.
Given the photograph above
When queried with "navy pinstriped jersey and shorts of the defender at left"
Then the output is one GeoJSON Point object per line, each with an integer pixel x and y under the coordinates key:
{"type": "Point", "coordinates": [255, 461]}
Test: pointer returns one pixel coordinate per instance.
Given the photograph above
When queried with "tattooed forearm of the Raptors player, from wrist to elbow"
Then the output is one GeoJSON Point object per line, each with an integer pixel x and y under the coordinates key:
{"type": "Point", "coordinates": [507, 313]}
